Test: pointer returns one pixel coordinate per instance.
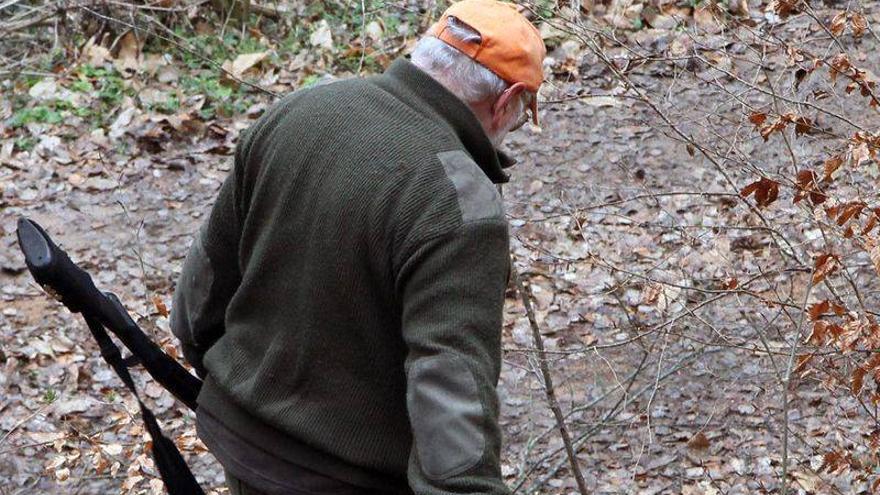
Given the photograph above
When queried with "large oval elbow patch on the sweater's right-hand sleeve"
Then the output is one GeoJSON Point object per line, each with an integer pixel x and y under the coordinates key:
{"type": "Point", "coordinates": [447, 416]}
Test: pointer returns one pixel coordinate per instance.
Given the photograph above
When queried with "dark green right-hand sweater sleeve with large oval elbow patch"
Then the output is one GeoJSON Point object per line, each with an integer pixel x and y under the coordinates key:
{"type": "Point", "coordinates": [452, 291]}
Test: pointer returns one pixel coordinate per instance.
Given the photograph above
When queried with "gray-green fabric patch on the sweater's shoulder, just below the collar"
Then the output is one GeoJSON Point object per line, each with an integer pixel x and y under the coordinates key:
{"type": "Point", "coordinates": [477, 197]}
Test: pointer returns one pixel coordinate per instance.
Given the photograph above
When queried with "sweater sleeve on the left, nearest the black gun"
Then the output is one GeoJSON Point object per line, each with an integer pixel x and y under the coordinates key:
{"type": "Point", "coordinates": [210, 277]}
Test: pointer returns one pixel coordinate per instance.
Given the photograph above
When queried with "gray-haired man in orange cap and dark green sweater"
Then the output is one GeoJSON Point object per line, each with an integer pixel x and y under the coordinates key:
{"type": "Point", "coordinates": [344, 298]}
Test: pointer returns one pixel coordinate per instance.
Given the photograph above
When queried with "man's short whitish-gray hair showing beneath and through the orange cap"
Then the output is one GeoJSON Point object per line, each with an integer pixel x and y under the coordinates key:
{"type": "Point", "coordinates": [468, 79]}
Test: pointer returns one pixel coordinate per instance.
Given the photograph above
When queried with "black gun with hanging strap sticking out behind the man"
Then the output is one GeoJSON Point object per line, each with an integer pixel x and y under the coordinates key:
{"type": "Point", "coordinates": [75, 289]}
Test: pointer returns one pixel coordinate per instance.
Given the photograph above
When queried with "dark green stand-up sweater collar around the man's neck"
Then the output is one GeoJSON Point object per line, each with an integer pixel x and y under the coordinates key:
{"type": "Point", "coordinates": [425, 94]}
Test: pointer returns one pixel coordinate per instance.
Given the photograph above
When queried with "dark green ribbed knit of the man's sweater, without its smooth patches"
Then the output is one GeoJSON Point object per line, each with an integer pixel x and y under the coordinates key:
{"type": "Point", "coordinates": [342, 237]}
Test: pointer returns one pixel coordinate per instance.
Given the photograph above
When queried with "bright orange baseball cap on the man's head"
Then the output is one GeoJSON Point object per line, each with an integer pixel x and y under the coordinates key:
{"type": "Point", "coordinates": [510, 46]}
